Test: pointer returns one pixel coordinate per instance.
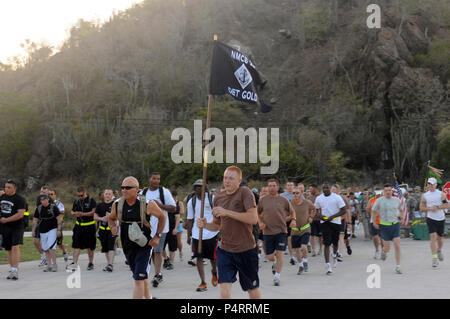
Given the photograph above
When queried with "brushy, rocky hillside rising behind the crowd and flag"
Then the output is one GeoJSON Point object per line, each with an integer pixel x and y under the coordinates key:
{"type": "Point", "coordinates": [352, 103]}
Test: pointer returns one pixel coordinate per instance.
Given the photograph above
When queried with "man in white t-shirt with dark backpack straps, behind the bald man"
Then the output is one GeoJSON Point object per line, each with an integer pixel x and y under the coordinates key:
{"type": "Point", "coordinates": [163, 198]}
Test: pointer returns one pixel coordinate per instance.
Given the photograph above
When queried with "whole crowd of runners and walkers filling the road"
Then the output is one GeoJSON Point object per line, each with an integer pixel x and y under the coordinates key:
{"type": "Point", "coordinates": [240, 228]}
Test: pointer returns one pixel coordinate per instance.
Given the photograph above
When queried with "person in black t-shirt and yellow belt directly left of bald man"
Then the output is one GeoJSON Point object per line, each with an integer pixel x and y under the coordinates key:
{"type": "Point", "coordinates": [107, 240]}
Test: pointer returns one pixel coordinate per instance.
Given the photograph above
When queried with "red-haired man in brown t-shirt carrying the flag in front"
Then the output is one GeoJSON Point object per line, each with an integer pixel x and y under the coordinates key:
{"type": "Point", "coordinates": [234, 215]}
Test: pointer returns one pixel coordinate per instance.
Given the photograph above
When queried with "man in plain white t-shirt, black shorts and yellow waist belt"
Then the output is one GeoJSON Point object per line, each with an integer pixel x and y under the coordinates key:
{"type": "Point", "coordinates": [330, 207]}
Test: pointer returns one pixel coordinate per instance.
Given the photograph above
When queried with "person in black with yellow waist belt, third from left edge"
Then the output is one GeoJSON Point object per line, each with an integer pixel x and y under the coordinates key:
{"type": "Point", "coordinates": [84, 229]}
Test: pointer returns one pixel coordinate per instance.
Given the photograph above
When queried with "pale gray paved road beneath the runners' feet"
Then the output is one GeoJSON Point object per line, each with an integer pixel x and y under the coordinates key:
{"type": "Point", "coordinates": [348, 280]}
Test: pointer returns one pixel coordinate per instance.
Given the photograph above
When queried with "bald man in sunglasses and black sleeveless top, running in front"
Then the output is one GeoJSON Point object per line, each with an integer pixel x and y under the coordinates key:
{"type": "Point", "coordinates": [138, 257]}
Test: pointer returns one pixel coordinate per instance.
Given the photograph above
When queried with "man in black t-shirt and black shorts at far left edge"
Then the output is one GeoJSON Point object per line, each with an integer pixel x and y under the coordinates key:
{"type": "Point", "coordinates": [12, 208]}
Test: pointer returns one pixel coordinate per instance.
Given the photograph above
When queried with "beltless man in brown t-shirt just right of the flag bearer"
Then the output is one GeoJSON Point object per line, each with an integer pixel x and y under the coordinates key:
{"type": "Point", "coordinates": [274, 211]}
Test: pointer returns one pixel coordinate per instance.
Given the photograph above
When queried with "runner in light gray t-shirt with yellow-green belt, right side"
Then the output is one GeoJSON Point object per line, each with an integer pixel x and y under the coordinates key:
{"type": "Point", "coordinates": [389, 209]}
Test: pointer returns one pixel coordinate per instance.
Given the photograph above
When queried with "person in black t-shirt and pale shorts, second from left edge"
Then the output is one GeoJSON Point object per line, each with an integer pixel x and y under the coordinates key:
{"type": "Point", "coordinates": [50, 228]}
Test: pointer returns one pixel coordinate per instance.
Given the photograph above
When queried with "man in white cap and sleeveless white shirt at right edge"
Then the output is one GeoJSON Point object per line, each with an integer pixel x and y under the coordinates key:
{"type": "Point", "coordinates": [433, 203]}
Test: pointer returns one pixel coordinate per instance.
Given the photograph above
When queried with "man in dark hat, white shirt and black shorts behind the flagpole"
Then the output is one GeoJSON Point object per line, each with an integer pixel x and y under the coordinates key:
{"type": "Point", "coordinates": [209, 238]}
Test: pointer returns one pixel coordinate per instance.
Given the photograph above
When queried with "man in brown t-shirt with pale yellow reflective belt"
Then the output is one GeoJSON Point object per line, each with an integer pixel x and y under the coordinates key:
{"type": "Point", "coordinates": [301, 228]}
